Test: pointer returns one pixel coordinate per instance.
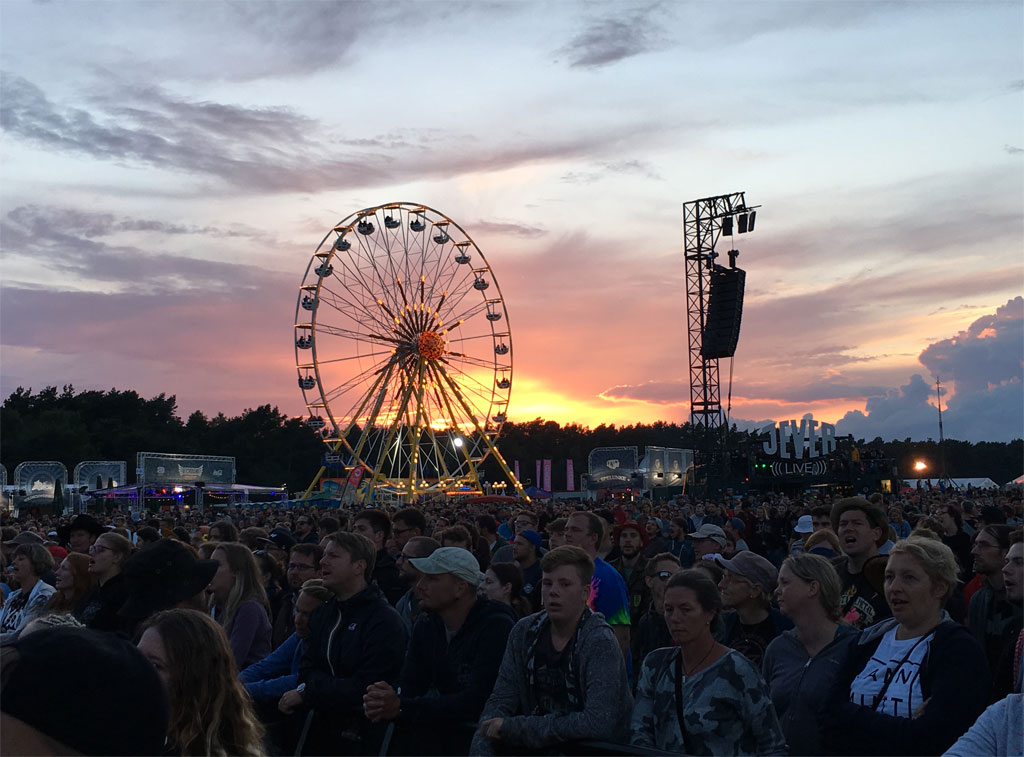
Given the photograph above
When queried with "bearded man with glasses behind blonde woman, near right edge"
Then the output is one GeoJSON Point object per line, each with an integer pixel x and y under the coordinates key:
{"type": "Point", "coordinates": [994, 618]}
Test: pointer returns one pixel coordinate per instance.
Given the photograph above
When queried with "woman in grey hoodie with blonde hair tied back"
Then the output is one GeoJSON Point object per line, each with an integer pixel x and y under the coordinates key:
{"type": "Point", "coordinates": [802, 664]}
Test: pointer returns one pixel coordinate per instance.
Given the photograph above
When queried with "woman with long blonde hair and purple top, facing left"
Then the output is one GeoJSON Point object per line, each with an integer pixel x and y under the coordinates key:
{"type": "Point", "coordinates": [240, 604]}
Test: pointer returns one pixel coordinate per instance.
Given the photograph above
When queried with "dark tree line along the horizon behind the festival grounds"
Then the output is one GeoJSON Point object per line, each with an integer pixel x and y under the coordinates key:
{"type": "Point", "coordinates": [272, 449]}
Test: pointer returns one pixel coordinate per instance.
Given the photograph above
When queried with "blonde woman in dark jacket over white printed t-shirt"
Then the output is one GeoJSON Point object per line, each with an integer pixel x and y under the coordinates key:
{"type": "Point", "coordinates": [915, 683]}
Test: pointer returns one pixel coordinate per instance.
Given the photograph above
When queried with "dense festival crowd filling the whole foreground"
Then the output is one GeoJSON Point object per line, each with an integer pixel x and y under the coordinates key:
{"type": "Point", "coordinates": [753, 625]}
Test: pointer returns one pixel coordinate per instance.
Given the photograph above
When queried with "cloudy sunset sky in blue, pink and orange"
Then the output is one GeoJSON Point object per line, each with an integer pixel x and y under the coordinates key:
{"type": "Point", "coordinates": [169, 170]}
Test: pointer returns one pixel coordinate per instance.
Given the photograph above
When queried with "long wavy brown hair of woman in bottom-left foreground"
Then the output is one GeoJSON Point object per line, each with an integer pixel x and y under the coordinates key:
{"type": "Point", "coordinates": [210, 712]}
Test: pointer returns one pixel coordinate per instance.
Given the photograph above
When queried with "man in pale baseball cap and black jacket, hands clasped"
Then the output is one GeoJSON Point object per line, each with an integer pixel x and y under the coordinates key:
{"type": "Point", "coordinates": [455, 654]}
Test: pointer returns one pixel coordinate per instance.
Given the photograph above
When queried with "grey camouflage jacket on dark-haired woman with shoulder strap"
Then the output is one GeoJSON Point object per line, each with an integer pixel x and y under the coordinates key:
{"type": "Point", "coordinates": [727, 708]}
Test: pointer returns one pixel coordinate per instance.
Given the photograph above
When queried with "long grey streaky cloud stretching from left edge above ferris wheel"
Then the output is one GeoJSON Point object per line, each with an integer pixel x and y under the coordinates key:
{"type": "Point", "coordinates": [276, 150]}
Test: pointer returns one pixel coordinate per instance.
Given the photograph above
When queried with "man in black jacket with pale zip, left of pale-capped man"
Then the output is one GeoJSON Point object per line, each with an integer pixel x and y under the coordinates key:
{"type": "Point", "coordinates": [355, 641]}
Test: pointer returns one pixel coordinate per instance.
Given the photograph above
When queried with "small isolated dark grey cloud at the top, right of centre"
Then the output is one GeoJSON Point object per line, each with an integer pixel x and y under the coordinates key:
{"type": "Point", "coordinates": [610, 40]}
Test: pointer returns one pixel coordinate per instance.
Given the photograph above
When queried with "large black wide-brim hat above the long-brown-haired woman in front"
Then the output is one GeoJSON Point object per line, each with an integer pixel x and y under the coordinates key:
{"type": "Point", "coordinates": [161, 576]}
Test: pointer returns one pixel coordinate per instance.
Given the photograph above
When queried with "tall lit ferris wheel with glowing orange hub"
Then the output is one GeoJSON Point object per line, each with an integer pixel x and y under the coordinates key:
{"type": "Point", "coordinates": [404, 353]}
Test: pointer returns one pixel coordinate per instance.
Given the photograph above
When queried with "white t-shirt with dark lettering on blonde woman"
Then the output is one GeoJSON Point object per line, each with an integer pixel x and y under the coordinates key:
{"type": "Point", "coordinates": [900, 660]}
